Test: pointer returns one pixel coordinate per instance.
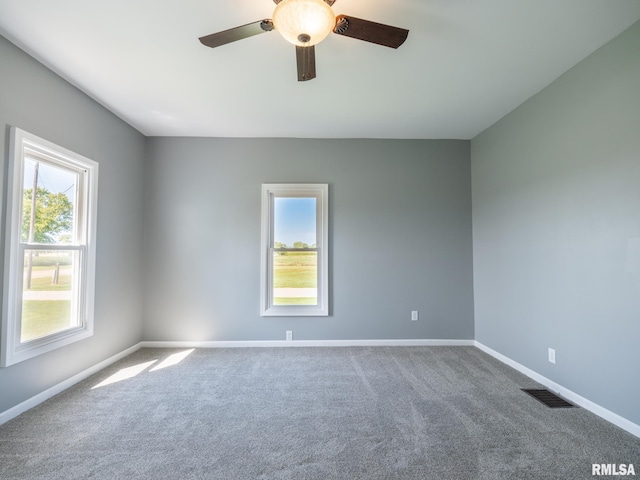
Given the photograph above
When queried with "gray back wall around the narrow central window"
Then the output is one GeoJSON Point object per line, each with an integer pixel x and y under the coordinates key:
{"type": "Point", "coordinates": [400, 219]}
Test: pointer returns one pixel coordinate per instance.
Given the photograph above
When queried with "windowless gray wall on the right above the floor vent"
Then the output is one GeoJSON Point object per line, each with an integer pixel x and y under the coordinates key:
{"type": "Point", "coordinates": [556, 229]}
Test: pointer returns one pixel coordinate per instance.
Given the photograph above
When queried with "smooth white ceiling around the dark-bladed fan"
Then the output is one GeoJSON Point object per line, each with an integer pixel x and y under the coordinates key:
{"type": "Point", "coordinates": [465, 64]}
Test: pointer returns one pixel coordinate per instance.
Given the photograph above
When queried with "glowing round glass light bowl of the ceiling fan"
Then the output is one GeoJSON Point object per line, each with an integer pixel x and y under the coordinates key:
{"type": "Point", "coordinates": [304, 22]}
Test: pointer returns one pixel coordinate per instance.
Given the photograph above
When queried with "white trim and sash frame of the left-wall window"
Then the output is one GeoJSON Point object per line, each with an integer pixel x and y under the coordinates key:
{"type": "Point", "coordinates": [12, 350]}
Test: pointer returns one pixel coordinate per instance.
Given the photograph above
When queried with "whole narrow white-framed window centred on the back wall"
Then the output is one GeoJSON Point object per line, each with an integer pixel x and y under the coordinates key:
{"type": "Point", "coordinates": [295, 249]}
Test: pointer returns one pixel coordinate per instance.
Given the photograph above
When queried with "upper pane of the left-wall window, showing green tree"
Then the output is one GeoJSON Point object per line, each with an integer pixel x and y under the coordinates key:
{"type": "Point", "coordinates": [53, 218]}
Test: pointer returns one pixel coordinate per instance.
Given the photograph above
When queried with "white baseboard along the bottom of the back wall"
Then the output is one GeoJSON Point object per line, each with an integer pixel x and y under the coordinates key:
{"type": "Point", "coordinates": [307, 343]}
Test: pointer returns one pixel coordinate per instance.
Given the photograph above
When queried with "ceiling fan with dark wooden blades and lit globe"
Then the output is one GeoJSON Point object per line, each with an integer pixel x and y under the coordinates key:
{"type": "Point", "coordinates": [305, 23]}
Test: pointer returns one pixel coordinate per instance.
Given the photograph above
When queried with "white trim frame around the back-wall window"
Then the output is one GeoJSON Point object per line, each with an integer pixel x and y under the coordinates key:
{"type": "Point", "coordinates": [321, 192]}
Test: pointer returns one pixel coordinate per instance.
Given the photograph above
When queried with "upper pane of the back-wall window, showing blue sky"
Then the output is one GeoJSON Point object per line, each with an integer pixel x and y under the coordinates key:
{"type": "Point", "coordinates": [294, 222]}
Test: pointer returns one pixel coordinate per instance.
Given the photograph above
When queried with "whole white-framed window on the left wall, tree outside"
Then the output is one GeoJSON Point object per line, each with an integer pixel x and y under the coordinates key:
{"type": "Point", "coordinates": [49, 248]}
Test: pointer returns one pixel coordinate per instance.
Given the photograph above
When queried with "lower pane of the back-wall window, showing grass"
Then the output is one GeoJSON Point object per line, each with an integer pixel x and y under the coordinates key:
{"type": "Point", "coordinates": [295, 278]}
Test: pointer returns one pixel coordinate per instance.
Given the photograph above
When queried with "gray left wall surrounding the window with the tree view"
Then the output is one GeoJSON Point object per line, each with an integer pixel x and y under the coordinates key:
{"type": "Point", "coordinates": [36, 100]}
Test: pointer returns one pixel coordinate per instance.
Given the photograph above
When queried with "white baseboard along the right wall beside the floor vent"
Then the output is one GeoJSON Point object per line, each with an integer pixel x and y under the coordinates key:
{"type": "Point", "coordinates": [579, 400]}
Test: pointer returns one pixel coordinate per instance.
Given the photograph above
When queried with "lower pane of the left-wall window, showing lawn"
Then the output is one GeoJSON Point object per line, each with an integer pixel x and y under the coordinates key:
{"type": "Point", "coordinates": [49, 294]}
